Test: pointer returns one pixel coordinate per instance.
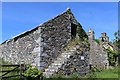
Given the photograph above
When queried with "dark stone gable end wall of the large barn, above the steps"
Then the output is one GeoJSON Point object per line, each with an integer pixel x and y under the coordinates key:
{"type": "Point", "coordinates": [55, 34]}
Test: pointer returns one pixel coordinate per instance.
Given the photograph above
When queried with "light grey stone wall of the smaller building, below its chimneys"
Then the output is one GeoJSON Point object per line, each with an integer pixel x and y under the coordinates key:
{"type": "Point", "coordinates": [98, 57]}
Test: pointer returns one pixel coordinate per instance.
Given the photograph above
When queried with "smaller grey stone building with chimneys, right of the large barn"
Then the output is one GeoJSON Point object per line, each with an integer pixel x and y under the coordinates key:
{"type": "Point", "coordinates": [98, 56]}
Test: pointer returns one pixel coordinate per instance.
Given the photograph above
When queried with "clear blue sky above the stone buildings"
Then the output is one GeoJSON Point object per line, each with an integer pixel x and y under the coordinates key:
{"type": "Point", "coordinates": [19, 17]}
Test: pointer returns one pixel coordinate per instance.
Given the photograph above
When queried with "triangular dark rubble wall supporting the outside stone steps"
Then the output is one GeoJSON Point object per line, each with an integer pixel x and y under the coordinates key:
{"type": "Point", "coordinates": [78, 62]}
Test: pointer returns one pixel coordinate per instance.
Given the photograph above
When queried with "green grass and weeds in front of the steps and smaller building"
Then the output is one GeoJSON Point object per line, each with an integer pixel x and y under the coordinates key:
{"type": "Point", "coordinates": [95, 74]}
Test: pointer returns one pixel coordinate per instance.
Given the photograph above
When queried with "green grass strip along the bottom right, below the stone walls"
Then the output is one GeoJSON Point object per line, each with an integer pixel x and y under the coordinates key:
{"type": "Point", "coordinates": [108, 73]}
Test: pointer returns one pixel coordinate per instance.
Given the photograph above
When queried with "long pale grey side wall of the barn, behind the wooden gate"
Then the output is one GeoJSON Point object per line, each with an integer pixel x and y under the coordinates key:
{"type": "Point", "coordinates": [25, 48]}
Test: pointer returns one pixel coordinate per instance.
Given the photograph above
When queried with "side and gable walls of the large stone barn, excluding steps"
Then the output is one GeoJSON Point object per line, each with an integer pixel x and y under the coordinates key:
{"type": "Point", "coordinates": [41, 45]}
